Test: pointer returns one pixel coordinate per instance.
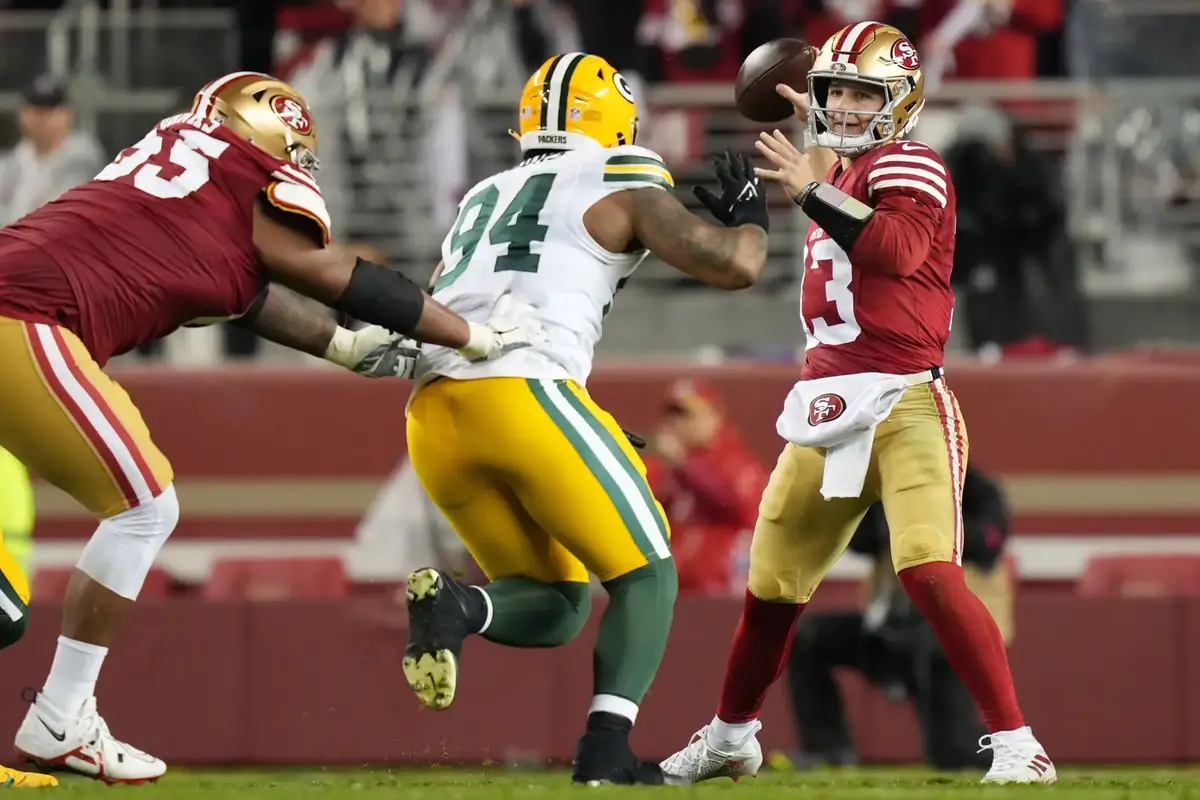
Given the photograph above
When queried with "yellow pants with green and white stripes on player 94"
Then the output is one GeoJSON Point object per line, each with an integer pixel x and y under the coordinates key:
{"type": "Point", "coordinates": [537, 479]}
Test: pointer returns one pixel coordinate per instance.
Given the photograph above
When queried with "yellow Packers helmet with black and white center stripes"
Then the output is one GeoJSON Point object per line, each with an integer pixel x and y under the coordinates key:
{"type": "Point", "coordinates": [577, 100]}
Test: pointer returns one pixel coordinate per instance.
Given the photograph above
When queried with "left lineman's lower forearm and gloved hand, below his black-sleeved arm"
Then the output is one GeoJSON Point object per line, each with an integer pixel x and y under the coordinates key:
{"type": "Point", "coordinates": [284, 317]}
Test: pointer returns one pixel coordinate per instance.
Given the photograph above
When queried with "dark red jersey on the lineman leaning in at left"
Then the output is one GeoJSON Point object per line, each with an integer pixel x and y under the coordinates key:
{"type": "Point", "coordinates": [161, 238]}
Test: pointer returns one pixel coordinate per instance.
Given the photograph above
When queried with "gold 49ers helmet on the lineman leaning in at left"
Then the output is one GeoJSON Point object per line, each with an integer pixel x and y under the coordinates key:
{"type": "Point", "coordinates": [266, 111]}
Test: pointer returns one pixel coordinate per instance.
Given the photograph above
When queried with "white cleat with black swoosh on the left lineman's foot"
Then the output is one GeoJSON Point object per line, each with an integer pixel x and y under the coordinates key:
{"type": "Point", "coordinates": [82, 745]}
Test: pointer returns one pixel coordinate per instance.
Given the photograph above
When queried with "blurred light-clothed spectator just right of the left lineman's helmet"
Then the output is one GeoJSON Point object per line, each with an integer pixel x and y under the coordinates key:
{"type": "Point", "coordinates": [393, 153]}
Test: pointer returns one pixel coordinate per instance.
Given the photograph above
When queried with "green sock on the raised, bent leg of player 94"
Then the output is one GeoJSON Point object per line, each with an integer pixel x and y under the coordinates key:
{"type": "Point", "coordinates": [529, 613]}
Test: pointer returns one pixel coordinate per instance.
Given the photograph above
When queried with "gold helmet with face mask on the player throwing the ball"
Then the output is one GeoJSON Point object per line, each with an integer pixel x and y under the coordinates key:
{"type": "Point", "coordinates": [874, 55]}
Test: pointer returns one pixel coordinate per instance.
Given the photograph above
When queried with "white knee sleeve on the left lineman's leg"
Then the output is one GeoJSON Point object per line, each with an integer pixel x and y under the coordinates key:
{"type": "Point", "coordinates": [123, 550]}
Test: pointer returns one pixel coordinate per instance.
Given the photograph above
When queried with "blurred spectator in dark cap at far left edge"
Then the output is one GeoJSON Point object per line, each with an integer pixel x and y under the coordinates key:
{"type": "Point", "coordinates": [51, 158]}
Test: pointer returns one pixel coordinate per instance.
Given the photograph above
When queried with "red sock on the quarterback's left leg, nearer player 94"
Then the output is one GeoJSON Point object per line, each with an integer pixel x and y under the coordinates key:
{"type": "Point", "coordinates": [758, 657]}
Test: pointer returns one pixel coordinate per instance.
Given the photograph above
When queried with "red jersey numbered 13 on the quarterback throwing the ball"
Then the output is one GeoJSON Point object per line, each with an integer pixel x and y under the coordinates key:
{"type": "Point", "coordinates": [886, 306]}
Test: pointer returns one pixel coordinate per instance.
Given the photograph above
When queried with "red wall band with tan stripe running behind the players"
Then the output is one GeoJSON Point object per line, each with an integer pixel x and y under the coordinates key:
{"type": "Point", "coordinates": [1097, 449]}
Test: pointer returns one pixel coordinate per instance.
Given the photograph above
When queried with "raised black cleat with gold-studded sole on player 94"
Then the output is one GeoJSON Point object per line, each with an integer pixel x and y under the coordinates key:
{"type": "Point", "coordinates": [437, 628]}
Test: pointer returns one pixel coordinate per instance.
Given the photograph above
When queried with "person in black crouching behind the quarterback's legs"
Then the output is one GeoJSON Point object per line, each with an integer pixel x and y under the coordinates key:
{"type": "Point", "coordinates": [891, 645]}
